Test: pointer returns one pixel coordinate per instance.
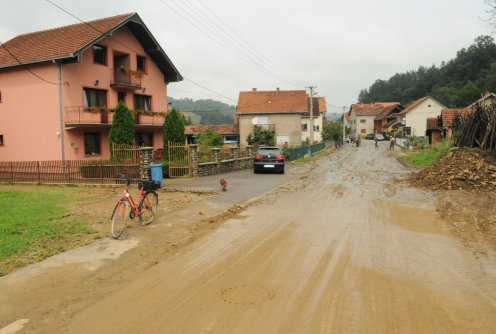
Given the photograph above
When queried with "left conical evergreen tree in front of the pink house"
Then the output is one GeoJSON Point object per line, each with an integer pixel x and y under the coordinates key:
{"type": "Point", "coordinates": [122, 130]}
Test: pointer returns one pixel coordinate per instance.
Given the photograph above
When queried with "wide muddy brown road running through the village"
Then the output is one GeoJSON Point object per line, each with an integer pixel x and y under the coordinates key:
{"type": "Point", "coordinates": [344, 248]}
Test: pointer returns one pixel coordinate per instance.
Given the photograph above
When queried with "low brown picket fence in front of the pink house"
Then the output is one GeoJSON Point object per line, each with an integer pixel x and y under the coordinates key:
{"type": "Point", "coordinates": [69, 171]}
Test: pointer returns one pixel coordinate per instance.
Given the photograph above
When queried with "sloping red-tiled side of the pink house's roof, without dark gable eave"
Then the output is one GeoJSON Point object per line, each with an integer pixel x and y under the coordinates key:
{"type": "Point", "coordinates": [56, 43]}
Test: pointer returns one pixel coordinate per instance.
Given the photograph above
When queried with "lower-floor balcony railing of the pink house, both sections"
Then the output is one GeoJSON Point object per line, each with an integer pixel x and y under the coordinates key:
{"type": "Point", "coordinates": [101, 116]}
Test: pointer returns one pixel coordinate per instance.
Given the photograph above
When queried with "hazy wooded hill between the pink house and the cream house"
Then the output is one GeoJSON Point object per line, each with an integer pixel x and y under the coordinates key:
{"type": "Point", "coordinates": [205, 112]}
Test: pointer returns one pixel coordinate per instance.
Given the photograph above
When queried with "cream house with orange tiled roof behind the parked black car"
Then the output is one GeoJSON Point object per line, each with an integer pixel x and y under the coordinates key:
{"type": "Point", "coordinates": [285, 112]}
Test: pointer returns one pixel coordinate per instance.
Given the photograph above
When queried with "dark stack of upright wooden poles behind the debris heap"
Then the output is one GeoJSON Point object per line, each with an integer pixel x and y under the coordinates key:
{"type": "Point", "coordinates": [477, 129]}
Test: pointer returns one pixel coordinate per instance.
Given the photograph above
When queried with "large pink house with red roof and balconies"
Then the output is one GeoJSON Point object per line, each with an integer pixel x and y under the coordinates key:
{"type": "Point", "coordinates": [57, 88]}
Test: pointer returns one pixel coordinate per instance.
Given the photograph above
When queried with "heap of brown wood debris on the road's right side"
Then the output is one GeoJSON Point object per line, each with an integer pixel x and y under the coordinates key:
{"type": "Point", "coordinates": [462, 168]}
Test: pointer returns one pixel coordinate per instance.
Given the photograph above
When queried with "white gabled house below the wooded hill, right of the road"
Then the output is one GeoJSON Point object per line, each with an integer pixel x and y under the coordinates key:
{"type": "Point", "coordinates": [413, 118]}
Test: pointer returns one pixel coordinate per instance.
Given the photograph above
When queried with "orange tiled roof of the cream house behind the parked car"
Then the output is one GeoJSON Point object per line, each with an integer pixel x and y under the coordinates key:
{"type": "Point", "coordinates": [278, 101]}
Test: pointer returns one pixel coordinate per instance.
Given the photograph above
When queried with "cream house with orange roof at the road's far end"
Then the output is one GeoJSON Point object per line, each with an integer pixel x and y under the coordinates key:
{"type": "Point", "coordinates": [370, 118]}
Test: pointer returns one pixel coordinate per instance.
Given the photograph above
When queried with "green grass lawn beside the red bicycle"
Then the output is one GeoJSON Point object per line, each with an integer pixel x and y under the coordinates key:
{"type": "Point", "coordinates": [35, 225]}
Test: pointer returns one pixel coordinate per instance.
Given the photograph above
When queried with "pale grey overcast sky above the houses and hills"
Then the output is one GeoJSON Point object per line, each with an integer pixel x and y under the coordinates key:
{"type": "Point", "coordinates": [231, 46]}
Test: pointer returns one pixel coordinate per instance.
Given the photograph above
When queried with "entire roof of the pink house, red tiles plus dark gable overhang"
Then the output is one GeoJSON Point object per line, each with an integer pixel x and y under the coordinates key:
{"type": "Point", "coordinates": [68, 42]}
